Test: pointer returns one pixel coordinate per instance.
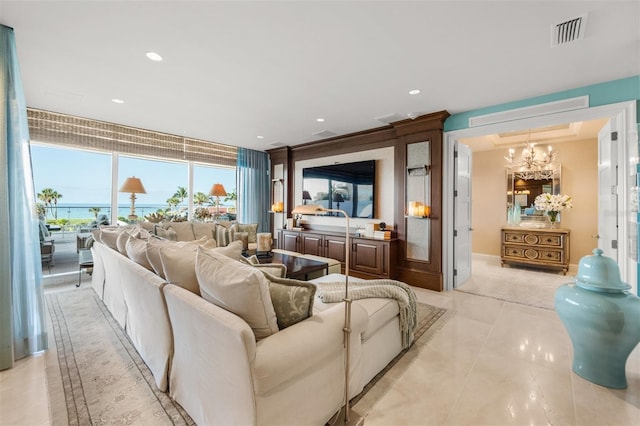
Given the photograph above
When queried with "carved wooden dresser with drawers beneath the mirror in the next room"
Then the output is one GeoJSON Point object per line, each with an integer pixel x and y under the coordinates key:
{"type": "Point", "coordinates": [537, 247]}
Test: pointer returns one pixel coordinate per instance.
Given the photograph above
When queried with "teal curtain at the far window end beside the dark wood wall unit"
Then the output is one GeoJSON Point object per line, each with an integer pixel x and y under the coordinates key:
{"type": "Point", "coordinates": [254, 188]}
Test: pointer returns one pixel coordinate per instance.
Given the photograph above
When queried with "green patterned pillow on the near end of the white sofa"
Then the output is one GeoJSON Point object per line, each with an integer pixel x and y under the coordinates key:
{"type": "Point", "coordinates": [292, 300]}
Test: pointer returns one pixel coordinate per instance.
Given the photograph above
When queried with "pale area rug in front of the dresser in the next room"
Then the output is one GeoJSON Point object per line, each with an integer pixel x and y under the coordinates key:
{"type": "Point", "coordinates": [516, 284]}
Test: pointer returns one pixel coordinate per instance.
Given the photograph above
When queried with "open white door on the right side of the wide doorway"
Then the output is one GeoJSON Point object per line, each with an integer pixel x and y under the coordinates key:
{"type": "Point", "coordinates": [607, 192]}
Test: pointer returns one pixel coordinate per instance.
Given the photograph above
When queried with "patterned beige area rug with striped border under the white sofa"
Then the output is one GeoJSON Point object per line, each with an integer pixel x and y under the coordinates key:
{"type": "Point", "coordinates": [98, 377]}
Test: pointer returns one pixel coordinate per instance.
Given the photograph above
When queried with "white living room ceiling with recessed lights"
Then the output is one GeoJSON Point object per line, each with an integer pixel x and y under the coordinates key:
{"type": "Point", "coordinates": [234, 71]}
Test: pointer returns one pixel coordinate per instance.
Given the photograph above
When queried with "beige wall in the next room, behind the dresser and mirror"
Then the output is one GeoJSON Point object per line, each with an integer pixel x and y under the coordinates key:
{"type": "Point", "coordinates": [579, 180]}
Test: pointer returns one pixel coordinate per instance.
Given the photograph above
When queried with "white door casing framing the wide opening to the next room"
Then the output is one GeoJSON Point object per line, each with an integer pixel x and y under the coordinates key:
{"type": "Point", "coordinates": [623, 116]}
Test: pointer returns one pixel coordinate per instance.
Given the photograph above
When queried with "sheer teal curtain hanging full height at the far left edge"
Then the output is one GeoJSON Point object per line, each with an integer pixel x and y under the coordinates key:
{"type": "Point", "coordinates": [22, 319]}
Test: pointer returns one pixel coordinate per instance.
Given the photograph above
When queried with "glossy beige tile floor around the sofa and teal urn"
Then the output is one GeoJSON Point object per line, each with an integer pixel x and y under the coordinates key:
{"type": "Point", "coordinates": [492, 363]}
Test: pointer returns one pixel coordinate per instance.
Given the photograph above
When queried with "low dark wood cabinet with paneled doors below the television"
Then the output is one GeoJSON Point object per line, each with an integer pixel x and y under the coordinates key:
{"type": "Point", "coordinates": [368, 258]}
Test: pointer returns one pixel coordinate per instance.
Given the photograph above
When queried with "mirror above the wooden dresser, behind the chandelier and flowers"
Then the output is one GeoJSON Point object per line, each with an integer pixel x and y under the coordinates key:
{"type": "Point", "coordinates": [523, 186]}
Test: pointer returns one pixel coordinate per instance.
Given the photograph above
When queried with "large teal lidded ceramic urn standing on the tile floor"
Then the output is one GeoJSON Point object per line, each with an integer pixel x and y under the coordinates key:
{"type": "Point", "coordinates": [602, 319]}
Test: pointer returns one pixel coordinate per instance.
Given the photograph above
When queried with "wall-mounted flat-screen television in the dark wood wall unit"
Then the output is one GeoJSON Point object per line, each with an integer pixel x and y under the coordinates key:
{"type": "Point", "coordinates": [343, 186]}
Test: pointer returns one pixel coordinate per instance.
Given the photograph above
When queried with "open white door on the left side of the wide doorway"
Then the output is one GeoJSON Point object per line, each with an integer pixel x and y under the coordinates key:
{"type": "Point", "coordinates": [462, 215]}
